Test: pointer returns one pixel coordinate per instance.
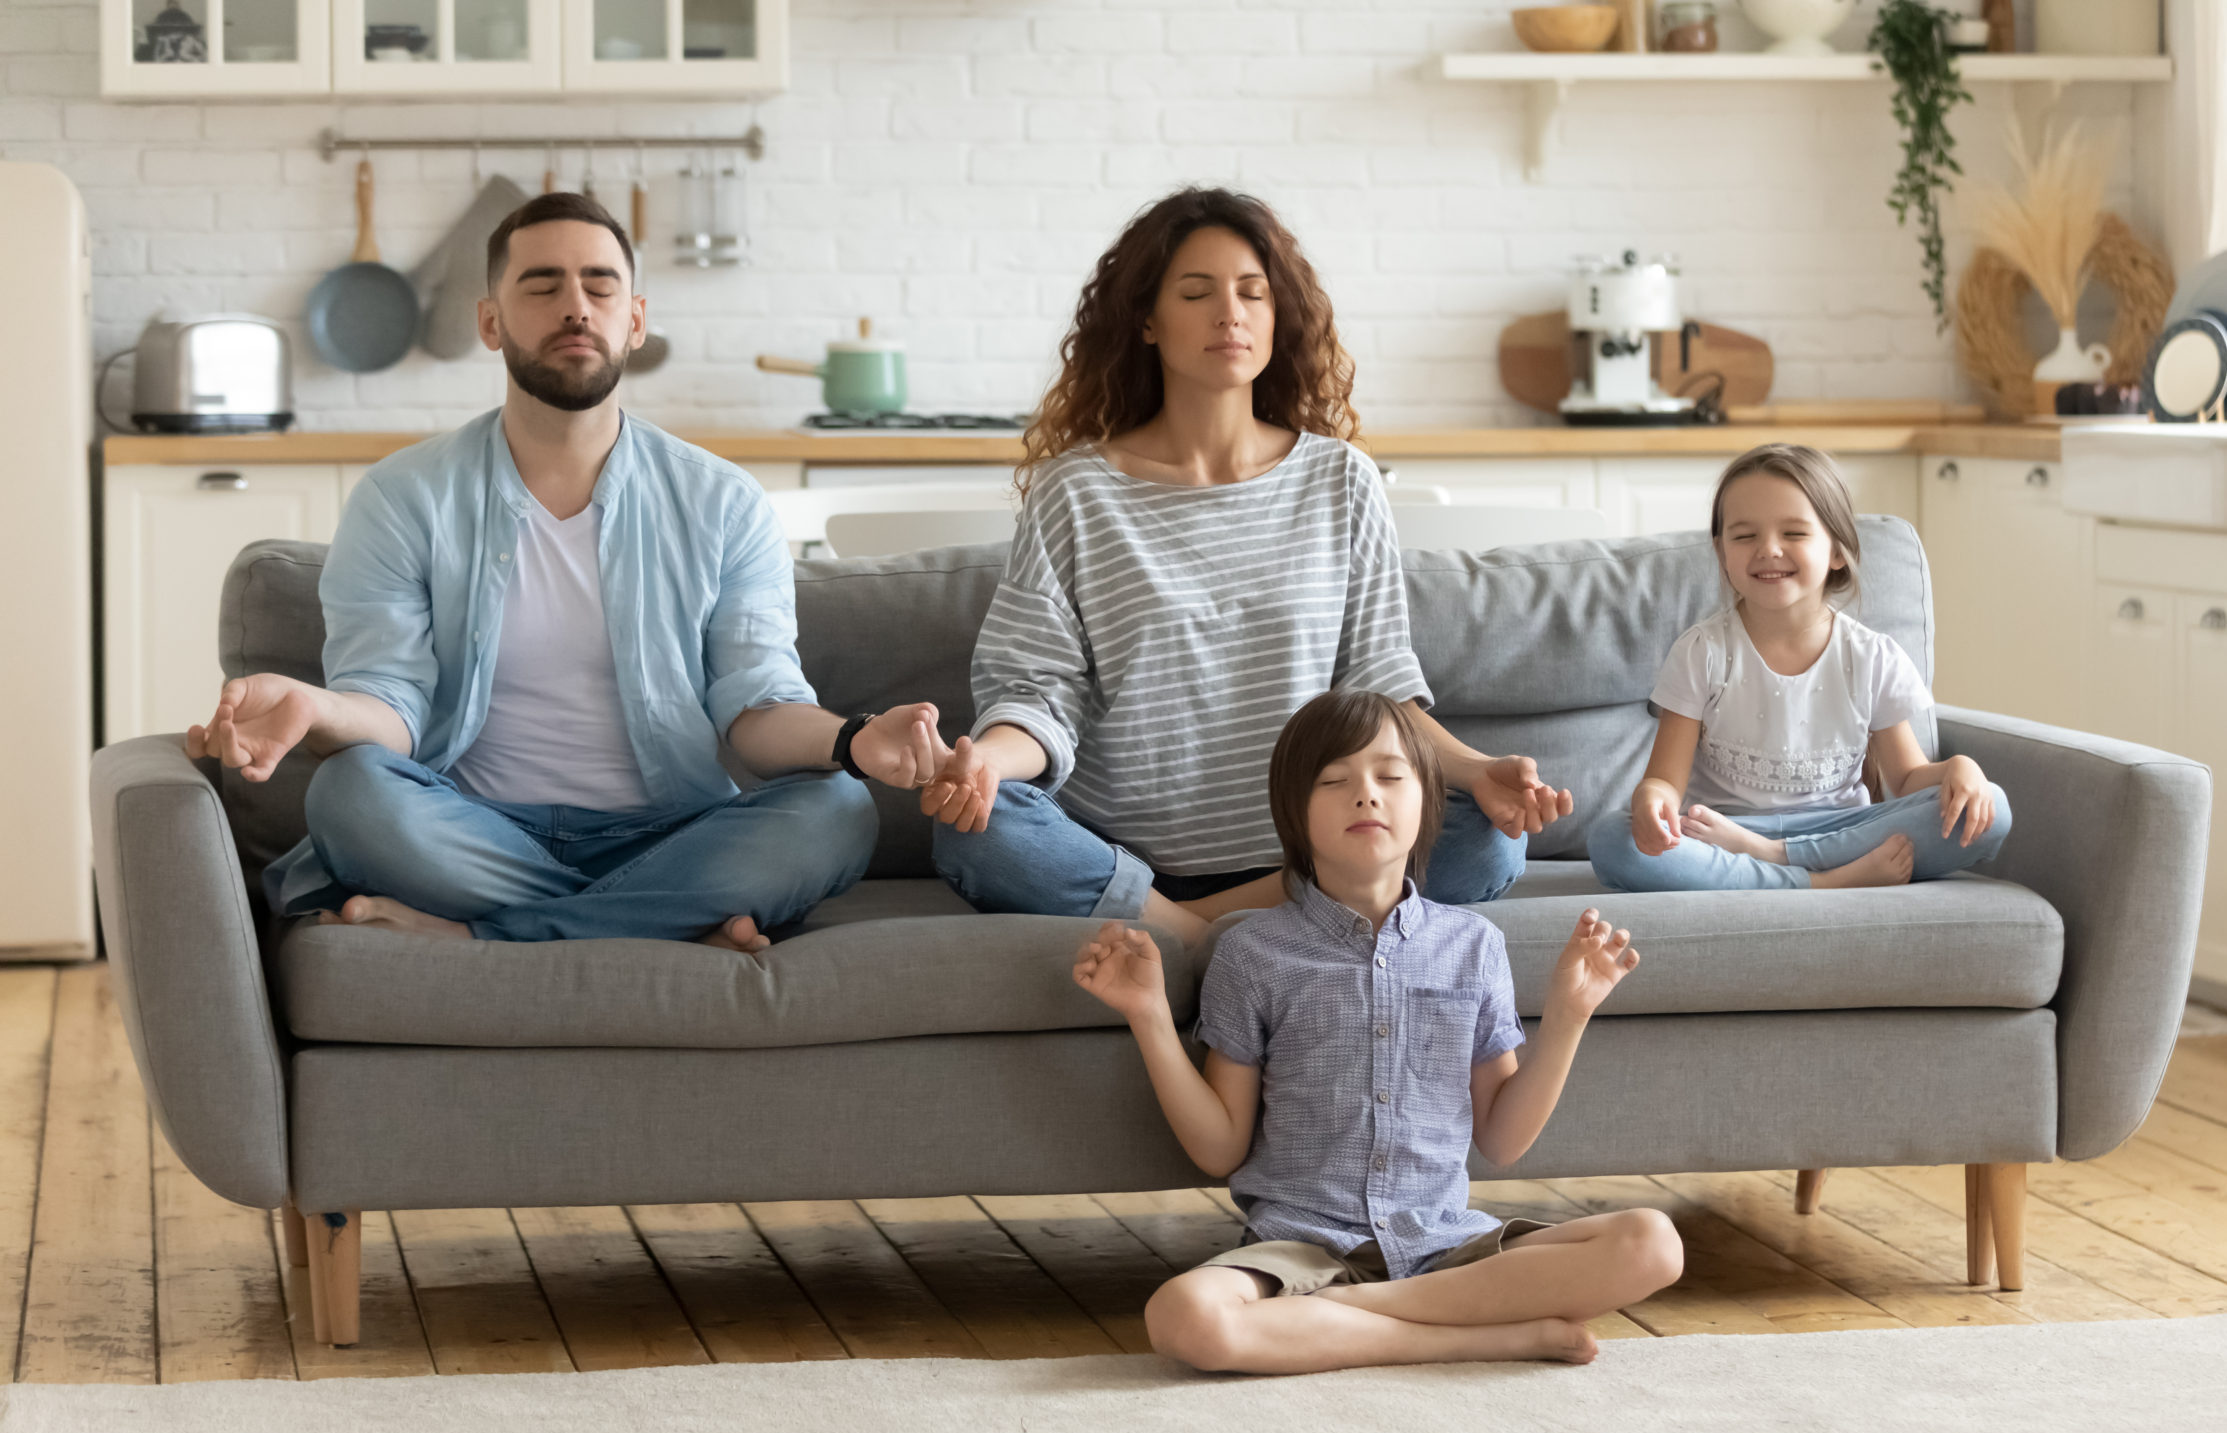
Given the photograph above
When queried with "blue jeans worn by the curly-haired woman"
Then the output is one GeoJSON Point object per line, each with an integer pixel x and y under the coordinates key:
{"type": "Point", "coordinates": [1034, 859]}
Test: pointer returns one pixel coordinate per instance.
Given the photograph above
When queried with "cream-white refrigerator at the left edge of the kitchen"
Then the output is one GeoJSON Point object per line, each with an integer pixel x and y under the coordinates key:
{"type": "Point", "coordinates": [46, 569]}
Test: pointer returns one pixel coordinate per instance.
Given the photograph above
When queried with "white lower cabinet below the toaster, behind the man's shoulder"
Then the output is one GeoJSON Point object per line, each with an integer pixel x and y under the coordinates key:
{"type": "Point", "coordinates": [168, 540]}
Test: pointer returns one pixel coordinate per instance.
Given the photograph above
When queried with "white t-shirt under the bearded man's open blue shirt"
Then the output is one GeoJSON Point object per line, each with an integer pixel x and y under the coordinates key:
{"type": "Point", "coordinates": [556, 732]}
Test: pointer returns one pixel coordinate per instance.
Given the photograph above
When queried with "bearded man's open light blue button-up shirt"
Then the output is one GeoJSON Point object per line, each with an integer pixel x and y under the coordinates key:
{"type": "Point", "coordinates": [698, 598]}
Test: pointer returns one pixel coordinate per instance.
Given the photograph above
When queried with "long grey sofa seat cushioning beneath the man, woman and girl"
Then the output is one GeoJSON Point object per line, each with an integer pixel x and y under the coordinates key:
{"type": "Point", "coordinates": [905, 957]}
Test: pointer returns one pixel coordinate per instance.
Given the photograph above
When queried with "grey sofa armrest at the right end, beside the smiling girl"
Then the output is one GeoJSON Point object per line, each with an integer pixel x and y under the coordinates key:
{"type": "Point", "coordinates": [2112, 835]}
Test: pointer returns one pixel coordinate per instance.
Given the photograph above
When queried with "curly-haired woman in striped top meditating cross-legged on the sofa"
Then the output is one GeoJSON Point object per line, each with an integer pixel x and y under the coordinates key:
{"type": "Point", "coordinates": [1199, 554]}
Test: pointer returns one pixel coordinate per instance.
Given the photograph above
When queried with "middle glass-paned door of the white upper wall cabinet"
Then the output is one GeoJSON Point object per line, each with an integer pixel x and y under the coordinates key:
{"type": "Point", "coordinates": [458, 46]}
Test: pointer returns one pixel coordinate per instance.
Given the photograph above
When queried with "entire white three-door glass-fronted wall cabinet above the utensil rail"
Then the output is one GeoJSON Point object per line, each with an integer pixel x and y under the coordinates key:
{"type": "Point", "coordinates": [442, 48]}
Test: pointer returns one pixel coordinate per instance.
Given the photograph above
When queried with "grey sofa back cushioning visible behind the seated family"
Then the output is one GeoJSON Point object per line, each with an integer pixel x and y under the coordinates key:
{"type": "Point", "coordinates": [1542, 650]}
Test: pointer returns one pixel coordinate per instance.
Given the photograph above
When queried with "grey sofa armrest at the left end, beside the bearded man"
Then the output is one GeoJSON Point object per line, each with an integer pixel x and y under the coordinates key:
{"type": "Point", "coordinates": [188, 968]}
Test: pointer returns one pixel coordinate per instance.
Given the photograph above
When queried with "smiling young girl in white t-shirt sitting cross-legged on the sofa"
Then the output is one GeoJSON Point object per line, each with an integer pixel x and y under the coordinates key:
{"type": "Point", "coordinates": [1772, 708]}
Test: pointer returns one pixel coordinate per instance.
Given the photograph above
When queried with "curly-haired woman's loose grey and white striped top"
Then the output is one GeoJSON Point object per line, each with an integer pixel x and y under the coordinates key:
{"type": "Point", "coordinates": [1155, 641]}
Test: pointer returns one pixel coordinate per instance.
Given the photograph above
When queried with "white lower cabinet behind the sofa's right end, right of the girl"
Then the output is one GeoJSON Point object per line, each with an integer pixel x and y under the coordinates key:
{"type": "Point", "coordinates": [2012, 587]}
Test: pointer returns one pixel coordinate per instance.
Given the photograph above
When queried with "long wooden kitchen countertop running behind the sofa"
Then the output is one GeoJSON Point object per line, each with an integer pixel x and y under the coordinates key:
{"type": "Point", "coordinates": [789, 447]}
